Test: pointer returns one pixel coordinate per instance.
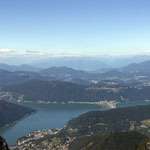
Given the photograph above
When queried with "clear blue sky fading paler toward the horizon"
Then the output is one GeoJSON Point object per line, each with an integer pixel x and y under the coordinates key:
{"type": "Point", "coordinates": [87, 27]}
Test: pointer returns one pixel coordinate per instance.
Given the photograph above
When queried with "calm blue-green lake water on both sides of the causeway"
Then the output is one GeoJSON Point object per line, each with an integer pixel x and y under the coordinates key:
{"type": "Point", "coordinates": [50, 116]}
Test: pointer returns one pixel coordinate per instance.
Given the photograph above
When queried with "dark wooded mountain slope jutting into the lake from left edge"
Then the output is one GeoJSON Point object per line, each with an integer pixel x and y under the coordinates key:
{"type": "Point", "coordinates": [10, 113]}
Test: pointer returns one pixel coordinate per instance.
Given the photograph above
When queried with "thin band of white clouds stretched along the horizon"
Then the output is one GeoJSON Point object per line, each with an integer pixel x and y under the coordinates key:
{"type": "Point", "coordinates": [34, 53]}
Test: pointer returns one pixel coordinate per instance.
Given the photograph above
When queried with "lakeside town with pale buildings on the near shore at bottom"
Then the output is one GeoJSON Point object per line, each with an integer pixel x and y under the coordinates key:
{"type": "Point", "coordinates": [30, 141]}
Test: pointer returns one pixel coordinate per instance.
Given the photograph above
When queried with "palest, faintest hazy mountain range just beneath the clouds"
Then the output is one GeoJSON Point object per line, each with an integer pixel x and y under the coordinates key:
{"type": "Point", "coordinates": [91, 63]}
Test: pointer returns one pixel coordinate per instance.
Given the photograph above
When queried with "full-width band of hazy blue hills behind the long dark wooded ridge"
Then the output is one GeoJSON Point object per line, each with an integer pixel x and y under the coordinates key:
{"type": "Point", "coordinates": [13, 76]}
